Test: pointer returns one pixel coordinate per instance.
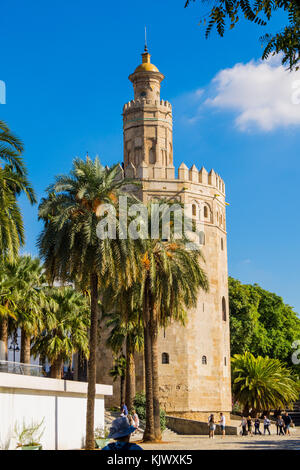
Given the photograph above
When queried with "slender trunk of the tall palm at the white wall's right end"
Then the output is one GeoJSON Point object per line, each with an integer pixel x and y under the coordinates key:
{"type": "Point", "coordinates": [90, 411]}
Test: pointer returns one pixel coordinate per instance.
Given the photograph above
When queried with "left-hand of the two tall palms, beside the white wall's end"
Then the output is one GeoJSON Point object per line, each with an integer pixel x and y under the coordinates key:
{"type": "Point", "coordinates": [72, 250]}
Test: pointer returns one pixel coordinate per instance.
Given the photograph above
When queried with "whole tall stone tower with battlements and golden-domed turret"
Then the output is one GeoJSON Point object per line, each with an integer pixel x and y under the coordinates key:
{"type": "Point", "coordinates": [194, 370]}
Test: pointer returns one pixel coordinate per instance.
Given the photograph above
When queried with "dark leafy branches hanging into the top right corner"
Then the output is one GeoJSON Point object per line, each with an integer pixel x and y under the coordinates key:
{"type": "Point", "coordinates": [224, 13]}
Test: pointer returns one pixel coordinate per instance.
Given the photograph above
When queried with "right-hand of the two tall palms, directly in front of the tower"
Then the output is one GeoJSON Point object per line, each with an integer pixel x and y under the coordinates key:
{"type": "Point", "coordinates": [171, 278]}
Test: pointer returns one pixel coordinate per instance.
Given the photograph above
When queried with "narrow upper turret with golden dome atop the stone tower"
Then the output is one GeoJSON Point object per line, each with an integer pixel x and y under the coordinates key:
{"type": "Point", "coordinates": [148, 139]}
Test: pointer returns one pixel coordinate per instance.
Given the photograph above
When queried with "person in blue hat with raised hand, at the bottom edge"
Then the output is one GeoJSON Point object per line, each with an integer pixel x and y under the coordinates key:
{"type": "Point", "coordinates": [120, 431]}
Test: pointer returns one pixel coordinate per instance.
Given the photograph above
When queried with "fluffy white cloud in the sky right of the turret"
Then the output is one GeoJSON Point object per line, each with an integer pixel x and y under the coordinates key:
{"type": "Point", "coordinates": [263, 94]}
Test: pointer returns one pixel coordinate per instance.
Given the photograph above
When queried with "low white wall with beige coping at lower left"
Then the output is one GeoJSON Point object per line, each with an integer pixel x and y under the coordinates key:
{"type": "Point", "coordinates": [61, 403]}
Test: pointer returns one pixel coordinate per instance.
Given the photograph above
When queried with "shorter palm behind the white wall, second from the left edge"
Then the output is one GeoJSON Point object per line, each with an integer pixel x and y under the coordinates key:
{"type": "Point", "coordinates": [26, 278]}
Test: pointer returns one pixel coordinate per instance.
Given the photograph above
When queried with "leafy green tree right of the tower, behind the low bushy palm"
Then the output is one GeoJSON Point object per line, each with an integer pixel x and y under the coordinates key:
{"type": "Point", "coordinates": [261, 323]}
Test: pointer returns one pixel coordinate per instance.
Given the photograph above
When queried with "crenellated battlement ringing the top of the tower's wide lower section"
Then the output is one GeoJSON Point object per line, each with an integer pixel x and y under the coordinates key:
{"type": "Point", "coordinates": [192, 175]}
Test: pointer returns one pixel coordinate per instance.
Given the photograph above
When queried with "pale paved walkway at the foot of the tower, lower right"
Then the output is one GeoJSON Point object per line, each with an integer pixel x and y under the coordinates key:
{"type": "Point", "coordinates": [180, 442]}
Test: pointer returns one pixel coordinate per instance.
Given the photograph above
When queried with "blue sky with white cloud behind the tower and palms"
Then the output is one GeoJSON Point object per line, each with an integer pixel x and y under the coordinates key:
{"type": "Point", "coordinates": [65, 65]}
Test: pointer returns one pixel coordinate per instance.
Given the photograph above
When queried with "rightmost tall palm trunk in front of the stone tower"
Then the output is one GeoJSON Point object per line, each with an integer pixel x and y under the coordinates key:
{"type": "Point", "coordinates": [154, 354]}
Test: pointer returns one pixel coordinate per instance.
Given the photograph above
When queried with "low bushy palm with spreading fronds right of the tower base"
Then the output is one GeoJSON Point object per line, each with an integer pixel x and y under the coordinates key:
{"type": "Point", "coordinates": [261, 384]}
